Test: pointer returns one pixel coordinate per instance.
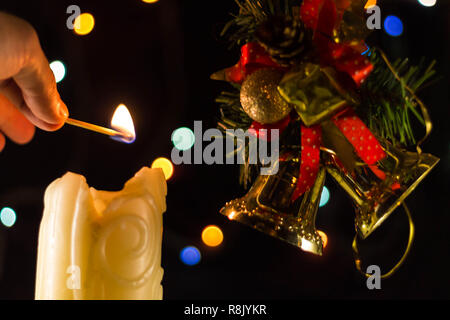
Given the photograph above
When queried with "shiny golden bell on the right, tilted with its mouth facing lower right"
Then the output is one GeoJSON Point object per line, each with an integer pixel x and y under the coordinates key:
{"type": "Point", "coordinates": [375, 198]}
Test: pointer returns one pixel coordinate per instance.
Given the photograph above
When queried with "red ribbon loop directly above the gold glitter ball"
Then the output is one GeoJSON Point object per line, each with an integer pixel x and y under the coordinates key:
{"type": "Point", "coordinates": [253, 57]}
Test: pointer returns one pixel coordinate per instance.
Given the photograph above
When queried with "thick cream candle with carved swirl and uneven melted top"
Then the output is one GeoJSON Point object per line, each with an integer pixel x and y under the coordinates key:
{"type": "Point", "coordinates": [101, 244]}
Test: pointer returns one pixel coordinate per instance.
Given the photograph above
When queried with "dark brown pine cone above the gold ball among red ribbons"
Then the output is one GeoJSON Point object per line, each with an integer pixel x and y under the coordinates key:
{"type": "Point", "coordinates": [284, 38]}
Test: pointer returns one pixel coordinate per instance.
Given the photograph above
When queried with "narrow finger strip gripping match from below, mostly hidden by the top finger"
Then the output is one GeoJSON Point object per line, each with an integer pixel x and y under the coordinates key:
{"type": "Point", "coordinates": [11, 91]}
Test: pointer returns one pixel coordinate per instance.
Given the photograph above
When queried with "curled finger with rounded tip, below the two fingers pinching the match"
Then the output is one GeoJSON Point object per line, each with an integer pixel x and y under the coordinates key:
{"type": "Point", "coordinates": [13, 123]}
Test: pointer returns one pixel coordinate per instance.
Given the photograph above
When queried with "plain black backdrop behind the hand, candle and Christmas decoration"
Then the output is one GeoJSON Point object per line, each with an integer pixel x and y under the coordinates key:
{"type": "Point", "coordinates": [157, 58]}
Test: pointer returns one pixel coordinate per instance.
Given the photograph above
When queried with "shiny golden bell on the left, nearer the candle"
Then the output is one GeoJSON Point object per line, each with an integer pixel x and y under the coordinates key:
{"type": "Point", "coordinates": [268, 207]}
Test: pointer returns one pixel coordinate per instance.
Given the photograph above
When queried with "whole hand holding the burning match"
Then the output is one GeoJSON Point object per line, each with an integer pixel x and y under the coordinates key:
{"type": "Point", "coordinates": [28, 93]}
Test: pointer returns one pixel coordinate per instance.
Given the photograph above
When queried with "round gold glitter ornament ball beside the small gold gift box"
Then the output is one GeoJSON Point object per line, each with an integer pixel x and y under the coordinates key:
{"type": "Point", "coordinates": [260, 98]}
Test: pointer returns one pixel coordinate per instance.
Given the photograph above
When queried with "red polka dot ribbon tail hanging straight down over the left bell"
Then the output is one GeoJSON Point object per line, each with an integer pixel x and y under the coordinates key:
{"type": "Point", "coordinates": [310, 159]}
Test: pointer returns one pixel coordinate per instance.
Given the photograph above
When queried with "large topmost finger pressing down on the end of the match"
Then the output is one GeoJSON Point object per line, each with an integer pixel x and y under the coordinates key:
{"type": "Point", "coordinates": [22, 59]}
